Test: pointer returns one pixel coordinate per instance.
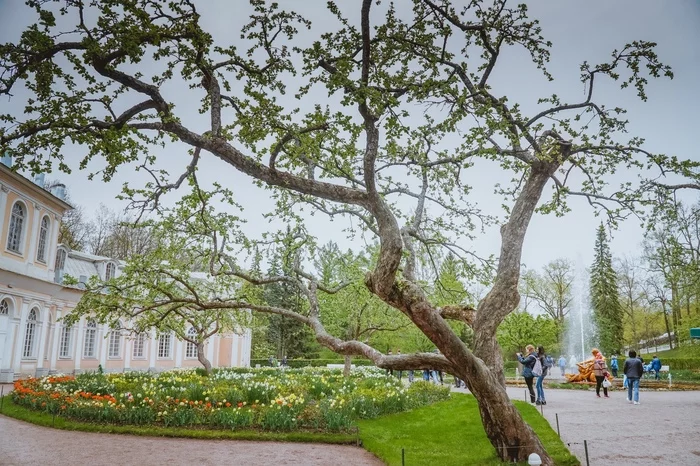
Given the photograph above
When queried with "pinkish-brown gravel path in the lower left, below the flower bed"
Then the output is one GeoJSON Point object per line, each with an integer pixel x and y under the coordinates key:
{"type": "Point", "coordinates": [26, 444]}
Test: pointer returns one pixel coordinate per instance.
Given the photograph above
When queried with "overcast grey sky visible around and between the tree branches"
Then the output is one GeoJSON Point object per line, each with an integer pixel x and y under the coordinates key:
{"type": "Point", "coordinates": [579, 31]}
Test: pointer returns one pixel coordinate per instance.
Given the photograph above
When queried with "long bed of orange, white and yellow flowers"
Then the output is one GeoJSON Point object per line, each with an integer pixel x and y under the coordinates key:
{"type": "Point", "coordinates": [264, 399]}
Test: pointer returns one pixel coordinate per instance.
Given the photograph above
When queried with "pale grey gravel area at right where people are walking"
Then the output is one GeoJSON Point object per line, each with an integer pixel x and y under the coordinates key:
{"type": "Point", "coordinates": [663, 429]}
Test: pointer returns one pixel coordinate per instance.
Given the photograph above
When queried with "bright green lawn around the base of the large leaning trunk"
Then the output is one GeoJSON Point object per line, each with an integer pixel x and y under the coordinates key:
{"type": "Point", "coordinates": [449, 433]}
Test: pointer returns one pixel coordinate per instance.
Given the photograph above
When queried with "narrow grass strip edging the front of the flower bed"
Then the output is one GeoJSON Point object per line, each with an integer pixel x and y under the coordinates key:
{"type": "Point", "coordinates": [43, 419]}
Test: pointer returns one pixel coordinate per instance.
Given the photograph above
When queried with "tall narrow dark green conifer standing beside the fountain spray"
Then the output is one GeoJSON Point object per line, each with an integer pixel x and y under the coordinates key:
{"type": "Point", "coordinates": [605, 300]}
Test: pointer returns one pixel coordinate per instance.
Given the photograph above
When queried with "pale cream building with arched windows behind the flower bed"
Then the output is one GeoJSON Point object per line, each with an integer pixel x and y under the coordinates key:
{"type": "Point", "coordinates": [33, 299]}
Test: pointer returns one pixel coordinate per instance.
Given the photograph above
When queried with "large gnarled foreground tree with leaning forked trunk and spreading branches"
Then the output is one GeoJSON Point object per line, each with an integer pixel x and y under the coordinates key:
{"type": "Point", "coordinates": [392, 111]}
